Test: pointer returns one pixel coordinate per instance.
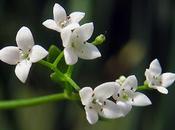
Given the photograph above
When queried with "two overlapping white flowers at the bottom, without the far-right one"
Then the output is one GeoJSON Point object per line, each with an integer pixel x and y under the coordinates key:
{"type": "Point", "coordinates": [123, 96]}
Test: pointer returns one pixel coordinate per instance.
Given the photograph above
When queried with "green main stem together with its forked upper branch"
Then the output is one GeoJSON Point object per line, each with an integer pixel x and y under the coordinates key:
{"type": "Point", "coordinates": [49, 98]}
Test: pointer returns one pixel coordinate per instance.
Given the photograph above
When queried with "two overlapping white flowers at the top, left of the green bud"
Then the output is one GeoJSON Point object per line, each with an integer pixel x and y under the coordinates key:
{"type": "Point", "coordinates": [73, 35]}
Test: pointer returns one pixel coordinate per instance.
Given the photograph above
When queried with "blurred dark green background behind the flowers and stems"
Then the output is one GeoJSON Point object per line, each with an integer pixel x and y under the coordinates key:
{"type": "Point", "coordinates": [137, 32]}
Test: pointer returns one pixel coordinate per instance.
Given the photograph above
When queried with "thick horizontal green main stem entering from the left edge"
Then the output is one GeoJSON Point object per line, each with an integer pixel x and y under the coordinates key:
{"type": "Point", "coordinates": [32, 101]}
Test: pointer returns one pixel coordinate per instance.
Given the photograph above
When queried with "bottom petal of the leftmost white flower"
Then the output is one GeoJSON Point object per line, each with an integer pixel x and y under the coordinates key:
{"type": "Point", "coordinates": [22, 70]}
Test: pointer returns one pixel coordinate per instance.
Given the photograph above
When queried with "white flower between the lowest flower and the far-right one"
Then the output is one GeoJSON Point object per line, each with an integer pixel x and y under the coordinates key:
{"type": "Point", "coordinates": [125, 93]}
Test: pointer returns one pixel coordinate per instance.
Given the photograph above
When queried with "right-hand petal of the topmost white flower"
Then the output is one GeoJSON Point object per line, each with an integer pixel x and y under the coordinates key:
{"type": "Point", "coordinates": [76, 16]}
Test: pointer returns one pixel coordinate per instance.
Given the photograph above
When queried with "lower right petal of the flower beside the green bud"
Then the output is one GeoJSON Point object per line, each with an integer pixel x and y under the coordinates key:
{"type": "Point", "coordinates": [88, 51]}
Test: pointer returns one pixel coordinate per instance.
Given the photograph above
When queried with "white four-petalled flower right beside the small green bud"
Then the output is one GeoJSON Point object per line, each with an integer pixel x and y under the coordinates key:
{"type": "Point", "coordinates": [76, 45]}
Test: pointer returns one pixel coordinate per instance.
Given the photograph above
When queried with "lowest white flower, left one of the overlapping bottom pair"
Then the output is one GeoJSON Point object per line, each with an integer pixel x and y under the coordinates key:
{"type": "Point", "coordinates": [97, 102]}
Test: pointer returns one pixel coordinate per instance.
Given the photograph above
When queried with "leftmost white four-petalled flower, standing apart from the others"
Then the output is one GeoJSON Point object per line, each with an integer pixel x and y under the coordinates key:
{"type": "Point", "coordinates": [24, 54]}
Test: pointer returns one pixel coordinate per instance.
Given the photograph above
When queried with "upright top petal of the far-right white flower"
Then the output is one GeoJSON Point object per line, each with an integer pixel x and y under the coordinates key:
{"type": "Point", "coordinates": [155, 67]}
